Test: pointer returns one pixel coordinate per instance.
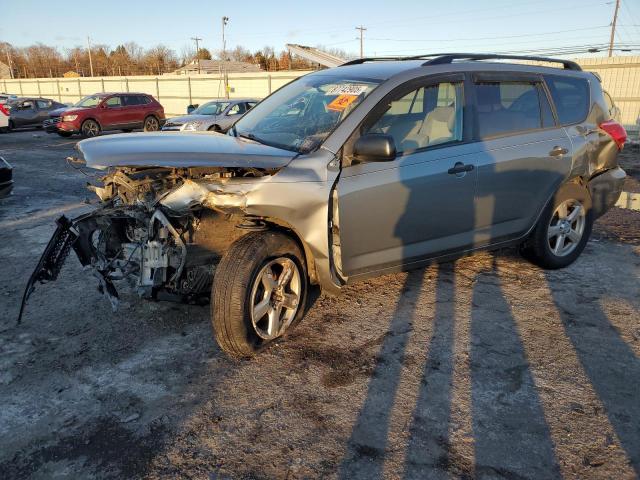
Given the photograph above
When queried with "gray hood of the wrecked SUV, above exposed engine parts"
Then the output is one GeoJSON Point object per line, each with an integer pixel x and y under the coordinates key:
{"type": "Point", "coordinates": [180, 150]}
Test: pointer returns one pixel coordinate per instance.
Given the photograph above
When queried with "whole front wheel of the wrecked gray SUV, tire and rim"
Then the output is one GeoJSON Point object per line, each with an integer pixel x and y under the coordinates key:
{"type": "Point", "coordinates": [259, 292]}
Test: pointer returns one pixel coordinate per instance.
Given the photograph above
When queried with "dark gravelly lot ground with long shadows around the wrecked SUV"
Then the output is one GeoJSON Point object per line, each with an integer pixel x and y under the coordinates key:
{"type": "Point", "coordinates": [483, 368]}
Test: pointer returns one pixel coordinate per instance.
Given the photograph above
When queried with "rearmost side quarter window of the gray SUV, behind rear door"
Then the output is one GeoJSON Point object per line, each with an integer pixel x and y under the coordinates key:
{"type": "Point", "coordinates": [571, 97]}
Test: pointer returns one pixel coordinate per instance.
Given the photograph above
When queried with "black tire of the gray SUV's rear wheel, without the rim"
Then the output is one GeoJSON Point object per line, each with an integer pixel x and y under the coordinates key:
{"type": "Point", "coordinates": [538, 249]}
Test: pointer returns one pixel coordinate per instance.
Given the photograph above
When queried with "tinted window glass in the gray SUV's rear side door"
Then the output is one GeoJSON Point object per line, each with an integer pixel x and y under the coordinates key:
{"type": "Point", "coordinates": [505, 107]}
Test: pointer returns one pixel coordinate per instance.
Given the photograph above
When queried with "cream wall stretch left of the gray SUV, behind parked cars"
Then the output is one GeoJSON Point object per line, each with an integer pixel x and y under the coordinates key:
{"type": "Point", "coordinates": [175, 92]}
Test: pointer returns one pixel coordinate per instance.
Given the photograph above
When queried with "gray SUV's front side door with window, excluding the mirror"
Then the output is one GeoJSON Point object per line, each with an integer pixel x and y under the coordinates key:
{"type": "Point", "coordinates": [422, 203]}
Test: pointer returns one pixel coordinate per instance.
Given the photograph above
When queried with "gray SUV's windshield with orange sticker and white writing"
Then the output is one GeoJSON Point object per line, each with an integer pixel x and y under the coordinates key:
{"type": "Point", "coordinates": [301, 115]}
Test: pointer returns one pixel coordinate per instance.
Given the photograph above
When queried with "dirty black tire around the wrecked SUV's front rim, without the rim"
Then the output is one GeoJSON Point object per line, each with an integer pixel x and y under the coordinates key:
{"type": "Point", "coordinates": [232, 290]}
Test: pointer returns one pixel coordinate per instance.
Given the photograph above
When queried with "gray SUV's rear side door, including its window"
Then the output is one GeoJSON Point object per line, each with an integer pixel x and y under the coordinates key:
{"type": "Point", "coordinates": [525, 154]}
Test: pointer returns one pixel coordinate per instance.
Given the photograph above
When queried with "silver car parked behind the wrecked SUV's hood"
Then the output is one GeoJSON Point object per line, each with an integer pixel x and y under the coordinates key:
{"type": "Point", "coordinates": [217, 115]}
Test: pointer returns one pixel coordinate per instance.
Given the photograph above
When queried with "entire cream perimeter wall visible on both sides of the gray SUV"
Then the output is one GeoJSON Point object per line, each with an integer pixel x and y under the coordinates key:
{"type": "Point", "coordinates": [620, 77]}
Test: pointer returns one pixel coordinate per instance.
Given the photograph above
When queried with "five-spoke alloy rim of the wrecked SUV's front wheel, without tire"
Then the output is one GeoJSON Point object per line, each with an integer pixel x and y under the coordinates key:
{"type": "Point", "coordinates": [275, 297]}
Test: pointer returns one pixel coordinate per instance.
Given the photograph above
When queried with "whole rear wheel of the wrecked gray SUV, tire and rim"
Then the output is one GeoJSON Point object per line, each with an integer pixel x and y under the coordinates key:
{"type": "Point", "coordinates": [563, 229]}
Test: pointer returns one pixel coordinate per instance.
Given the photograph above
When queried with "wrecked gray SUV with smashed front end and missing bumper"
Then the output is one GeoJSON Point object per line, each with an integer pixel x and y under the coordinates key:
{"type": "Point", "coordinates": [347, 173]}
